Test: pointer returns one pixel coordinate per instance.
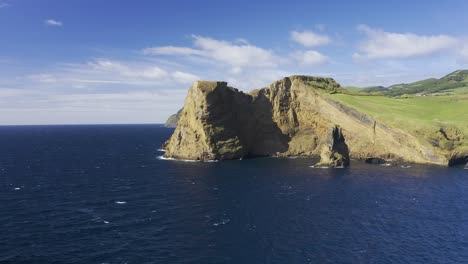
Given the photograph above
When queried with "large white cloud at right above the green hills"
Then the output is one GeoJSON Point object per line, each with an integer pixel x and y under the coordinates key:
{"type": "Point", "coordinates": [382, 44]}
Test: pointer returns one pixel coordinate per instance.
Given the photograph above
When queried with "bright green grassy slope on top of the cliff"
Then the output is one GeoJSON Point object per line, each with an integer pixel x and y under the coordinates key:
{"type": "Point", "coordinates": [420, 116]}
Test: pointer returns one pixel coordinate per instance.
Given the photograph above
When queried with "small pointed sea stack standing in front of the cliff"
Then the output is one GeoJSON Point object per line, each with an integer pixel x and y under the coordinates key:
{"type": "Point", "coordinates": [335, 152]}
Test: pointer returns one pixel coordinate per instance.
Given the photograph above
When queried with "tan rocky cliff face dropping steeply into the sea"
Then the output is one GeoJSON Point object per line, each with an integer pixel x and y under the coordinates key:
{"type": "Point", "coordinates": [291, 117]}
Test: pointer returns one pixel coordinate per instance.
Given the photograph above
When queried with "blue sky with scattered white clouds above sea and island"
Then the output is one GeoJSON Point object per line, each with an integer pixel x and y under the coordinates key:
{"type": "Point", "coordinates": [126, 62]}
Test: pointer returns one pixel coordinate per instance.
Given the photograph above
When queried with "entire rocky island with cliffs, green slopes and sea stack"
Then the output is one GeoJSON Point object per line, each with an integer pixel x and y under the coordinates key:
{"type": "Point", "coordinates": [424, 122]}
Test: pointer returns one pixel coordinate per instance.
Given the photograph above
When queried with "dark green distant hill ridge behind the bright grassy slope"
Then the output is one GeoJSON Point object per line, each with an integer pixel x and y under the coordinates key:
{"type": "Point", "coordinates": [454, 81]}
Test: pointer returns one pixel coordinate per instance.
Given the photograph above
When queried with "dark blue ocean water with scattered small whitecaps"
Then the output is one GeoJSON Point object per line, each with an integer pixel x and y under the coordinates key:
{"type": "Point", "coordinates": [98, 194]}
